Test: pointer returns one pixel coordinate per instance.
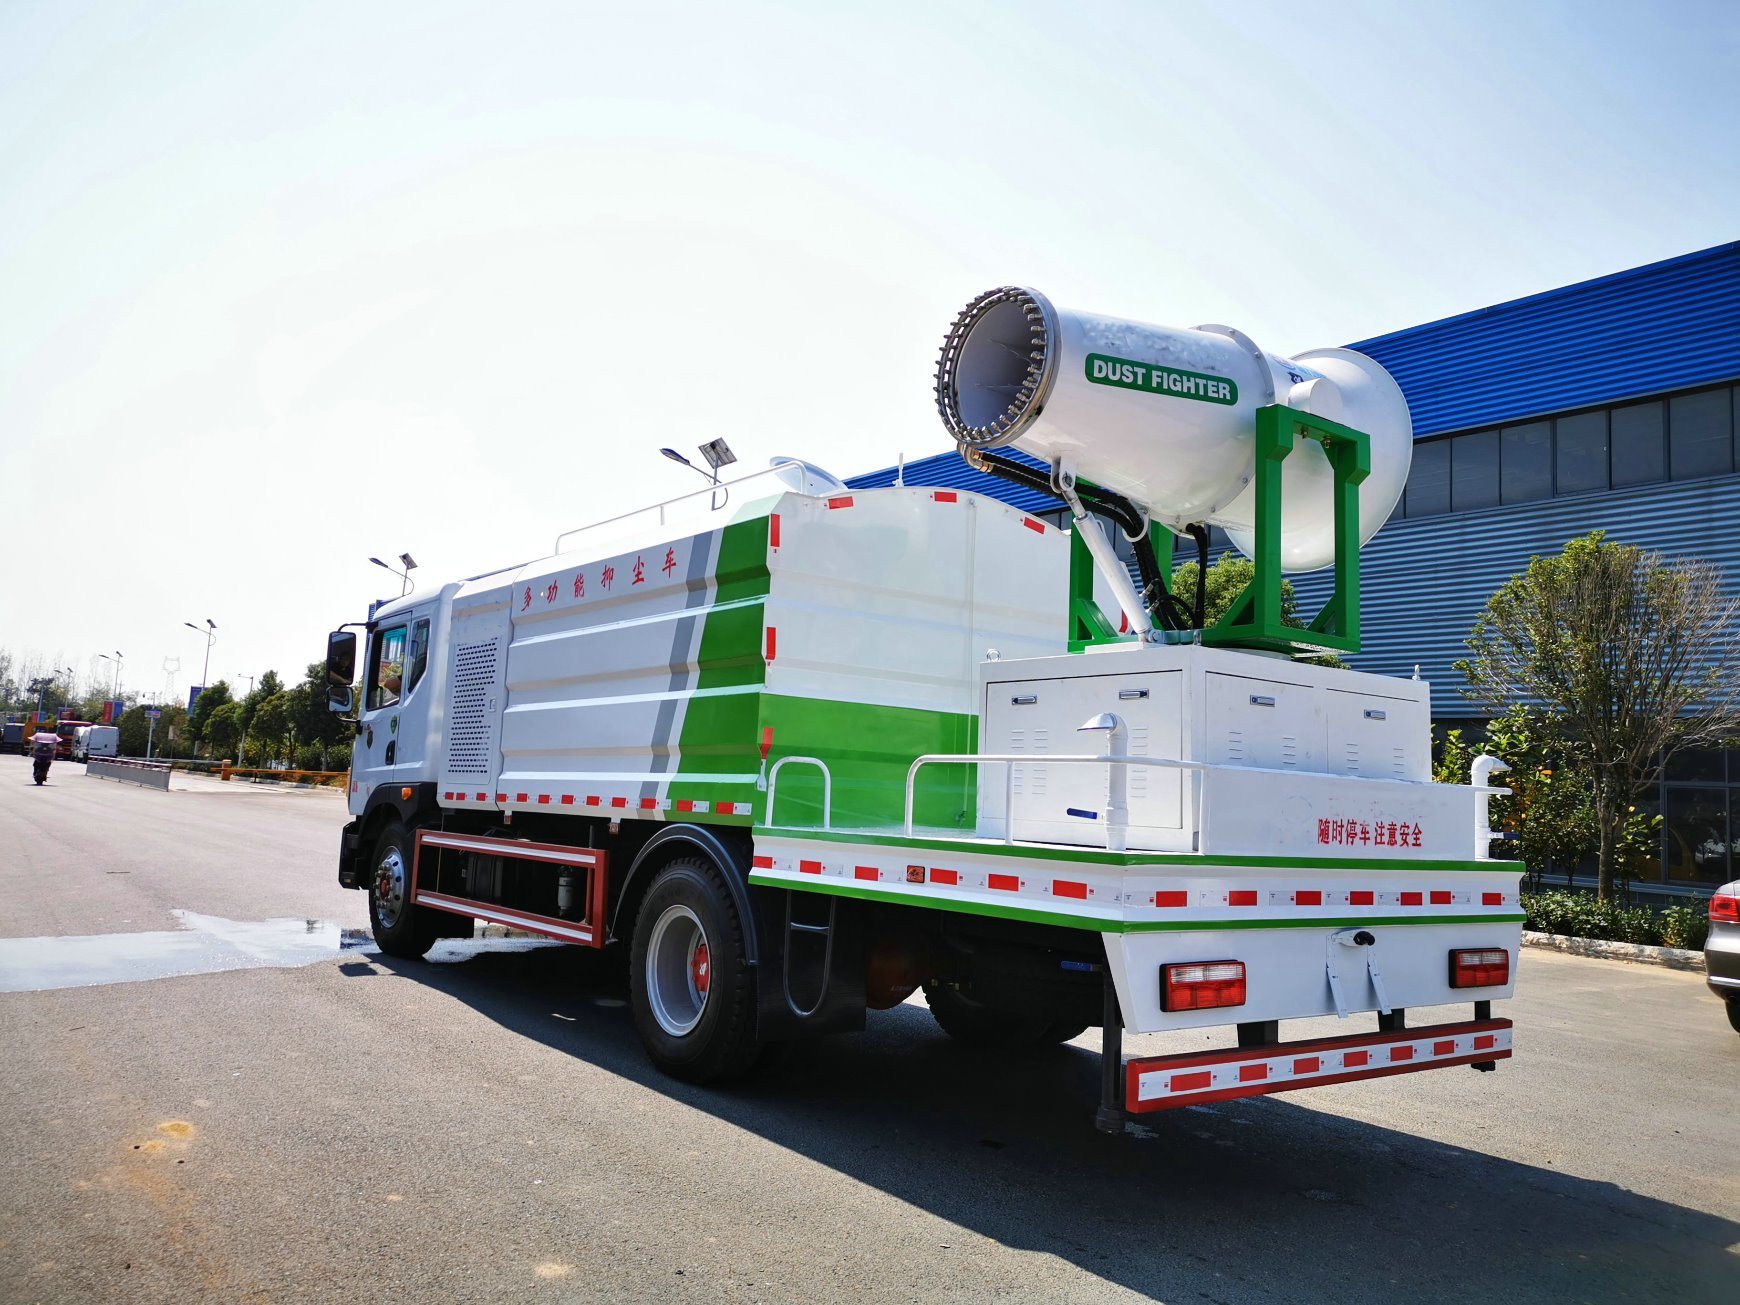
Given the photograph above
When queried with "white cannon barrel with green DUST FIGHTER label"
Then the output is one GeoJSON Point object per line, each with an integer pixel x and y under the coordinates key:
{"type": "Point", "coordinates": [1167, 415]}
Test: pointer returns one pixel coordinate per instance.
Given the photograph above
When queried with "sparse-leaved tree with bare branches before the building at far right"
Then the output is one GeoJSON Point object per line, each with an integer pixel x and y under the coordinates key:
{"type": "Point", "coordinates": [1630, 659]}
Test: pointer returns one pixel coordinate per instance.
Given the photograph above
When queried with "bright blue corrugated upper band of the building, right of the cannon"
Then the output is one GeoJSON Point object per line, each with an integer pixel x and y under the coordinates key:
{"type": "Point", "coordinates": [1664, 326]}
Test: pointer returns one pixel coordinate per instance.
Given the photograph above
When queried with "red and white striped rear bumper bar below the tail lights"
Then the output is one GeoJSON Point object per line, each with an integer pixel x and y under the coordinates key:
{"type": "Point", "coordinates": [1167, 1083]}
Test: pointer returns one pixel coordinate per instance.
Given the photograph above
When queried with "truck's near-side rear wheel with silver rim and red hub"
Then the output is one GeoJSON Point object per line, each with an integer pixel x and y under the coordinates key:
{"type": "Point", "coordinates": [690, 986]}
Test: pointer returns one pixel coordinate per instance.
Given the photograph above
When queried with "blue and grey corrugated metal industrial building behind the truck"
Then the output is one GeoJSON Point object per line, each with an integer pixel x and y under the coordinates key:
{"type": "Point", "coordinates": [1609, 405]}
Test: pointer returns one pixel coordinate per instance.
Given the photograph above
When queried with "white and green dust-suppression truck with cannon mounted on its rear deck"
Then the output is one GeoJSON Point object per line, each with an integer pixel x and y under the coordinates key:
{"type": "Point", "coordinates": [806, 751]}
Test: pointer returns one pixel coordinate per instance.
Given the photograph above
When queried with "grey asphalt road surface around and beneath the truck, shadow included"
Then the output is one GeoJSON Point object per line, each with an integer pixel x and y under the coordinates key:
{"type": "Point", "coordinates": [486, 1128]}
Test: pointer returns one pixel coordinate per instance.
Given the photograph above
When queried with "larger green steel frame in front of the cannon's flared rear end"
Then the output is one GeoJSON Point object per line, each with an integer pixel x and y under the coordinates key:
{"type": "Point", "coordinates": [1255, 615]}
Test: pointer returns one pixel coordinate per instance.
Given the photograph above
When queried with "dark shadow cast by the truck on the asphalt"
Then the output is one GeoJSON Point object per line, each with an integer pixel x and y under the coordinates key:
{"type": "Point", "coordinates": [1259, 1198]}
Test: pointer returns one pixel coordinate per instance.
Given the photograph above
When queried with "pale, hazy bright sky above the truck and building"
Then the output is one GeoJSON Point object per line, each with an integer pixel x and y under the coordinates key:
{"type": "Point", "coordinates": [290, 286]}
